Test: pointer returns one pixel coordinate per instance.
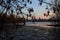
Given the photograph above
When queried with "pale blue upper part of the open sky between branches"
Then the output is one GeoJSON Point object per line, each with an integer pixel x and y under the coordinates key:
{"type": "Point", "coordinates": [37, 8]}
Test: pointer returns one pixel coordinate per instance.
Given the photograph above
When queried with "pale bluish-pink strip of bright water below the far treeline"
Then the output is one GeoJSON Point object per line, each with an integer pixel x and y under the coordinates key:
{"type": "Point", "coordinates": [40, 24]}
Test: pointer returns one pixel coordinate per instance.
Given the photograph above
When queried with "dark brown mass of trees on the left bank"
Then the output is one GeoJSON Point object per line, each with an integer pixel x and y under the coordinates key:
{"type": "Point", "coordinates": [10, 18]}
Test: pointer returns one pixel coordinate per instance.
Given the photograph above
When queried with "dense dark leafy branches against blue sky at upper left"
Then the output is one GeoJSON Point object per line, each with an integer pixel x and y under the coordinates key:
{"type": "Point", "coordinates": [8, 4]}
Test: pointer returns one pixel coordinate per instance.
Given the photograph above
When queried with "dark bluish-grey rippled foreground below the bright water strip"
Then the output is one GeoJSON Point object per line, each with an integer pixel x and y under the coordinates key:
{"type": "Point", "coordinates": [11, 32]}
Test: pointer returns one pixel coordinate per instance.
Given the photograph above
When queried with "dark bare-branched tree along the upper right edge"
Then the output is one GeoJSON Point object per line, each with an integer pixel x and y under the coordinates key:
{"type": "Point", "coordinates": [55, 6]}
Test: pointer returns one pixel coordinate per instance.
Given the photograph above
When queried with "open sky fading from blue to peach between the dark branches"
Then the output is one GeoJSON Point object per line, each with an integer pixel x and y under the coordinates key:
{"type": "Point", "coordinates": [38, 10]}
